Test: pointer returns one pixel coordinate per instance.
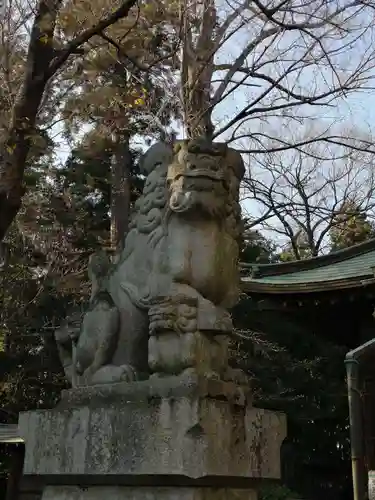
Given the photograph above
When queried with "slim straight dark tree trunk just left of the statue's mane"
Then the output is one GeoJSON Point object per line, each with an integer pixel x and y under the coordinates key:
{"type": "Point", "coordinates": [120, 194]}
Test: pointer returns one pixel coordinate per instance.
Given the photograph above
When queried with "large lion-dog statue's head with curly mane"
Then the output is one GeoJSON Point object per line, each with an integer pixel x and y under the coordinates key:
{"type": "Point", "coordinates": [196, 180]}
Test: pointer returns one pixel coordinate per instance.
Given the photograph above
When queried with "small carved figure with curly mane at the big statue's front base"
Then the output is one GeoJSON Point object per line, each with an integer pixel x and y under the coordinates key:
{"type": "Point", "coordinates": [188, 334]}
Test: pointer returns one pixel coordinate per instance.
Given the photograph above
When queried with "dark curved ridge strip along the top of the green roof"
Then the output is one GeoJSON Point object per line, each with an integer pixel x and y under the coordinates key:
{"type": "Point", "coordinates": [264, 270]}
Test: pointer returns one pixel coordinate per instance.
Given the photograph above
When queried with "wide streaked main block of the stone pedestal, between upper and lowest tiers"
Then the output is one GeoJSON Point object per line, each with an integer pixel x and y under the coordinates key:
{"type": "Point", "coordinates": [192, 438]}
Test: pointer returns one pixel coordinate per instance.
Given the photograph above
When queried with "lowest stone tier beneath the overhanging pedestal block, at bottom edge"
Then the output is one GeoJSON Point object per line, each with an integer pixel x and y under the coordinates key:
{"type": "Point", "coordinates": [154, 493]}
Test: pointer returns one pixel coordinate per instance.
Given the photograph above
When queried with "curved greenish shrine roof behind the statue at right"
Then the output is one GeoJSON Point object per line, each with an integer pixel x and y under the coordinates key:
{"type": "Point", "coordinates": [349, 268]}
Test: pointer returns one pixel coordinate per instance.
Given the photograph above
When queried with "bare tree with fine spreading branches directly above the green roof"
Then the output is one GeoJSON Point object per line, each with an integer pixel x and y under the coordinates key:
{"type": "Point", "coordinates": [309, 197]}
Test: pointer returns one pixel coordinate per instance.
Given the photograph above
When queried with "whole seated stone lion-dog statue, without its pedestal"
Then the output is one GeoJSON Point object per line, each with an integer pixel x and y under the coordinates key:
{"type": "Point", "coordinates": [161, 309]}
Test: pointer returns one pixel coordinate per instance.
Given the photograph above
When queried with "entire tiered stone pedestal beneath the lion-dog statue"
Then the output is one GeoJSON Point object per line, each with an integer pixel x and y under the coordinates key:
{"type": "Point", "coordinates": [169, 438]}
